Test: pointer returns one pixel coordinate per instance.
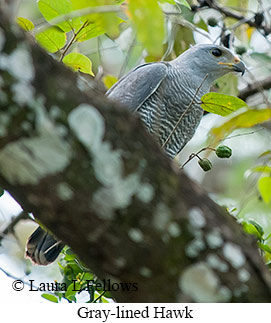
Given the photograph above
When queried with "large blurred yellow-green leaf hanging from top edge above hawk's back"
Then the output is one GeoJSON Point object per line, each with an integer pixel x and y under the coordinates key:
{"type": "Point", "coordinates": [149, 23]}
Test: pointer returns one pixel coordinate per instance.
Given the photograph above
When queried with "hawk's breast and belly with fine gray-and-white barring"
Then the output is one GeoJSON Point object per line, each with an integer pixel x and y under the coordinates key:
{"type": "Point", "coordinates": [162, 111]}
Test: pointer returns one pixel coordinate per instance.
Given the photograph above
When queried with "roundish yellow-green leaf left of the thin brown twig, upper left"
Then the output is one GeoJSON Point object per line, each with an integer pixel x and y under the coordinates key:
{"type": "Point", "coordinates": [52, 39]}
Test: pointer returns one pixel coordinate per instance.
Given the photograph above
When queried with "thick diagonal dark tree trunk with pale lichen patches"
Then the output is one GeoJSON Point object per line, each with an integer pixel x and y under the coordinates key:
{"type": "Point", "coordinates": [87, 169]}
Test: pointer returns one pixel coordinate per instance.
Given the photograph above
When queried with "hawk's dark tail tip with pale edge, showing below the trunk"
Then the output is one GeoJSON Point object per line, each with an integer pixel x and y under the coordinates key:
{"type": "Point", "coordinates": [42, 248]}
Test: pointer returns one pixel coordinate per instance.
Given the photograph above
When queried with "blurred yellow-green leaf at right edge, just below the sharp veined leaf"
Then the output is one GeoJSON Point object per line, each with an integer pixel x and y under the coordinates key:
{"type": "Point", "coordinates": [246, 119]}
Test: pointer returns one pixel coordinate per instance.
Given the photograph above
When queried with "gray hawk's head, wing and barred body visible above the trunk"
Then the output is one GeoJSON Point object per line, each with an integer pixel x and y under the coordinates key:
{"type": "Point", "coordinates": [161, 93]}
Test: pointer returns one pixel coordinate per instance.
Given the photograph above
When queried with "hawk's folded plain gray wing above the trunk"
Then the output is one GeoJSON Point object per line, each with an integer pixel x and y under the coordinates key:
{"type": "Point", "coordinates": [138, 85]}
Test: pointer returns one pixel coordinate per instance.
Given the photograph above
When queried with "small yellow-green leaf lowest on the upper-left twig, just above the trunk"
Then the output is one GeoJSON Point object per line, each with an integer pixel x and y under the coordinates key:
{"type": "Point", "coordinates": [78, 62]}
